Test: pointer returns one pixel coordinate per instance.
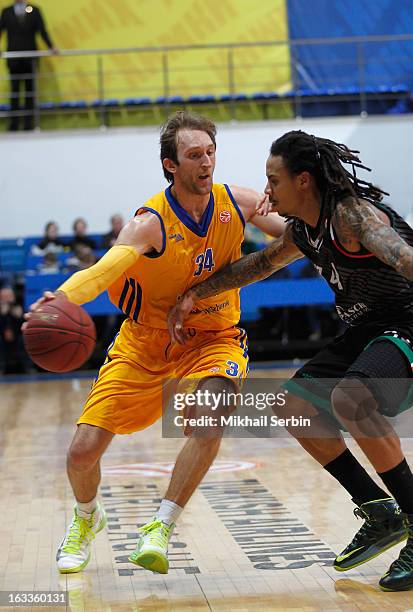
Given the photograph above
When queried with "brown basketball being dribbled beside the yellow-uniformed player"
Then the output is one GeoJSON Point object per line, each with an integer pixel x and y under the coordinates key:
{"type": "Point", "coordinates": [60, 336]}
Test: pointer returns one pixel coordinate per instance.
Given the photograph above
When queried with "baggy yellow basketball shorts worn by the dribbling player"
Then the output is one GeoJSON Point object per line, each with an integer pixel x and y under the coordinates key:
{"type": "Point", "coordinates": [142, 366]}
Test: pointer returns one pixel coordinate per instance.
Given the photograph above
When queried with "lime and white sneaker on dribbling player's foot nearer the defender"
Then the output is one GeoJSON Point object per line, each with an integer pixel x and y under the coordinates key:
{"type": "Point", "coordinates": [152, 549]}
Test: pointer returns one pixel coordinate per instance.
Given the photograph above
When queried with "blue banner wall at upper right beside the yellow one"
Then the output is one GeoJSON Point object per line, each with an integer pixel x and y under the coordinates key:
{"type": "Point", "coordinates": [328, 66]}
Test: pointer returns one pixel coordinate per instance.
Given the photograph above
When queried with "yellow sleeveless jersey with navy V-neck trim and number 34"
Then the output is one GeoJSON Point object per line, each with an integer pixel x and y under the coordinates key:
{"type": "Point", "coordinates": [190, 253]}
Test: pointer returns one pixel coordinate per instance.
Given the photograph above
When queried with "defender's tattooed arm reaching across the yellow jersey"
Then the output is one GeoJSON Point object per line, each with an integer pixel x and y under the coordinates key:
{"type": "Point", "coordinates": [246, 270]}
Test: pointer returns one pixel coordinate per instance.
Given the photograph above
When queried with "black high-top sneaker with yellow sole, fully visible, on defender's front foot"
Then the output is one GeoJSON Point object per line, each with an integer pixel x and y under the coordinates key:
{"type": "Point", "coordinates": [383, 528]}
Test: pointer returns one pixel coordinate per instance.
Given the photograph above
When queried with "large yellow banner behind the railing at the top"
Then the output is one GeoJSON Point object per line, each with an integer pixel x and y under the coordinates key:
{"type": "Point", "coordinates": [117, 24]}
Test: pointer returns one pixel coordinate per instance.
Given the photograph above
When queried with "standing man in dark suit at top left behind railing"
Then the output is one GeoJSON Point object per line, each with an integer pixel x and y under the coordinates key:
{"type": "Point", "coordinates": [22, 21]}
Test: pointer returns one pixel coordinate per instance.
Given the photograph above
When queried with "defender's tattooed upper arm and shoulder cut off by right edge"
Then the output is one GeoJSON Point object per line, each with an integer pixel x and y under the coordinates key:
{"type": "Point", "coordinates": [360, 222]}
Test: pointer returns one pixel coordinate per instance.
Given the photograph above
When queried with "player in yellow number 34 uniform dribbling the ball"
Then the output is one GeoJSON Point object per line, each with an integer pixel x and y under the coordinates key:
{"type": "Point", "coordinates": [178, 238]}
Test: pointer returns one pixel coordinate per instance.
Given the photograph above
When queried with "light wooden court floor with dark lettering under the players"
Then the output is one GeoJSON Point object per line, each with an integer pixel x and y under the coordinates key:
{"type": "Point", "coordinates": [259, 534]}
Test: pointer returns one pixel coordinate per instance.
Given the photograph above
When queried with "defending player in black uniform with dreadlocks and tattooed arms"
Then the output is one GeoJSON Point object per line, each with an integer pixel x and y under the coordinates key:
{"type": "Point", "coordinates": [364, 250]}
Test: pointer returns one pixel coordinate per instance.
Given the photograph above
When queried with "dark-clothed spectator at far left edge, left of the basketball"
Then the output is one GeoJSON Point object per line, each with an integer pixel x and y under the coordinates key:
{"type": "Point", "coordinates": [11, 319]}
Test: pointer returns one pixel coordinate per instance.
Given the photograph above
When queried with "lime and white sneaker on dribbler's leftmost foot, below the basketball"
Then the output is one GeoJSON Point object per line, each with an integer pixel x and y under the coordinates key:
{"type": "Point", "coordinates": [74, 552]}
